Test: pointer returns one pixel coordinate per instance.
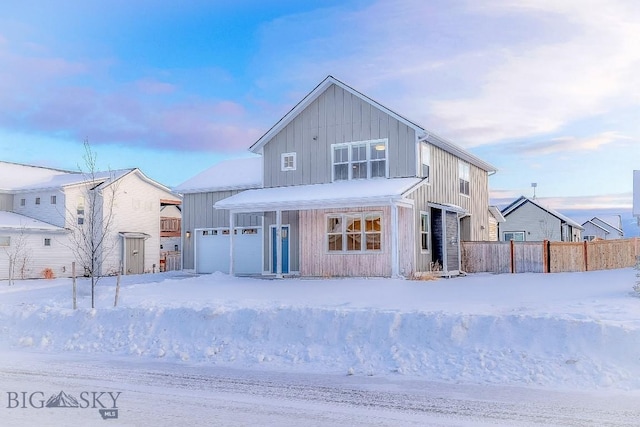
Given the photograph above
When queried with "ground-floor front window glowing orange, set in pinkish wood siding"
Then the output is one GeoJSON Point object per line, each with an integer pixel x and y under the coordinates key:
{"type": "Point", "coordinates": [354, 232]}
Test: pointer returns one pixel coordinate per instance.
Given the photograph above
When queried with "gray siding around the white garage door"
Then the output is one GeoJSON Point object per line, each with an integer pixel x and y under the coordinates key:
{"type": "Point", "coordinates": [198, 212]}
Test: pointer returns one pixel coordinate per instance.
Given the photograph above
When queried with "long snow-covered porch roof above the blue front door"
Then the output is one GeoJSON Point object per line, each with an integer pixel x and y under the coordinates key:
{"type": "Point", "coordinates": [371, 192]}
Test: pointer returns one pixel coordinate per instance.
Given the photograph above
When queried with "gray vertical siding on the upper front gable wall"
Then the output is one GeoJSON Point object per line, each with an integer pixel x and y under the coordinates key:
{"type": "Point", "coordinates": [336, 116]}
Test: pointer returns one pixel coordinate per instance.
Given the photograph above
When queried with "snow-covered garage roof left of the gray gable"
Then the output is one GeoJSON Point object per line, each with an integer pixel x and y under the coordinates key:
{"type": "Point", "coordinates": [234, 174]}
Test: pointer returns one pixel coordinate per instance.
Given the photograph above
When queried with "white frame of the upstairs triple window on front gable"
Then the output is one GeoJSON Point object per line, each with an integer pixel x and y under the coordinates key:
{"type": "Point", "coordinates": [355, 162]}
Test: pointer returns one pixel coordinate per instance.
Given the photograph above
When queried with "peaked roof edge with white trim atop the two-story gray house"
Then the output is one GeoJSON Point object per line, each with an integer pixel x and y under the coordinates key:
{"type": "Point", "coordinates": [422, 133]}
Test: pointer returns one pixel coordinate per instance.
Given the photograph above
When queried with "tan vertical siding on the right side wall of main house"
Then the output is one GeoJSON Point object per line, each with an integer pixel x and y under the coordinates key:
{"type": "Point", "coordinates": [443, 188]}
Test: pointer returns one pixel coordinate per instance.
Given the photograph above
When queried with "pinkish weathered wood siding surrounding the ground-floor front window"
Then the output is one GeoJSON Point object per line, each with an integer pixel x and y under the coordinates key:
{"type": "Point", "coordinates": [316, 261]}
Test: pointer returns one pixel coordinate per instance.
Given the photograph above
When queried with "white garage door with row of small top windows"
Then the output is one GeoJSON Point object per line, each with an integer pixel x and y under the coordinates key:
{"type": "Point", "coordinates": [212, 250]}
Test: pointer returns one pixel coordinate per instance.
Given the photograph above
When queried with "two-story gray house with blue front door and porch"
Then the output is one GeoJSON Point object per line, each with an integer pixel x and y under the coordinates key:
{"type": "Point", "coordinates": [346, 187]}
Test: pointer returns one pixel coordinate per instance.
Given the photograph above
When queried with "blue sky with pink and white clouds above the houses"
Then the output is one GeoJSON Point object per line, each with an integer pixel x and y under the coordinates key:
{"type": "Point", "coordinates": [546, 90]}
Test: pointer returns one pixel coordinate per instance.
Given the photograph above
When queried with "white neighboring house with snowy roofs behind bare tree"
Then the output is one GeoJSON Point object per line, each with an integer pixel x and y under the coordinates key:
{"type": "Point", "coordinates": [46, 208]}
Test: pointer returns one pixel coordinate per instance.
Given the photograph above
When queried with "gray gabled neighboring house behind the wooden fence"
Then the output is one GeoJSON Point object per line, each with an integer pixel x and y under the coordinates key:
{"type": "Point", "coordinates": [528, 220]}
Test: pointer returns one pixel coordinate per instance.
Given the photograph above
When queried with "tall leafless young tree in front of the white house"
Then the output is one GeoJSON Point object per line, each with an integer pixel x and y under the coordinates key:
{"type": "Point", "coordinates": [92, 219]}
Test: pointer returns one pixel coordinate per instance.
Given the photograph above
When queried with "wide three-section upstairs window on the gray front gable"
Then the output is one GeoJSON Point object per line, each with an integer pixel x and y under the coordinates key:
{"type": "Point", "coordinates": [360, 160]}
